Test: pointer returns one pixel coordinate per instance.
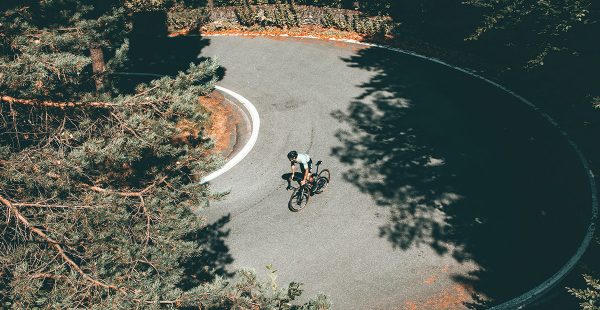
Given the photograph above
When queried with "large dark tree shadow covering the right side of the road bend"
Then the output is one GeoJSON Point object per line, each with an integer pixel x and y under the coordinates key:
{"type": "Point", "coordinates": [466, 169]}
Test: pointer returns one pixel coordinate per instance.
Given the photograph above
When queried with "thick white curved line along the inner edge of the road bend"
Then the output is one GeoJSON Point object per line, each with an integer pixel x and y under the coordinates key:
{"type": "Point", "coordinates": [249, 145]}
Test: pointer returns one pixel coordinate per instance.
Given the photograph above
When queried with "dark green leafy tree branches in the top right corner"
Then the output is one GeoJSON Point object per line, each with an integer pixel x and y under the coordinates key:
{"type": "Point", "coordinates": [559, 33]}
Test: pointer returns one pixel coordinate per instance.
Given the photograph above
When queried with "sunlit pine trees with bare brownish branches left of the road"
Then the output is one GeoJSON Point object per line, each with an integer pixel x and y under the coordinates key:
{"type": "Point", "coordinates": [97, 185]}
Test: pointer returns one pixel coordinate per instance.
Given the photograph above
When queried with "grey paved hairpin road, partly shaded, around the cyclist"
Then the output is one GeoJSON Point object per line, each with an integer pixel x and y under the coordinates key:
{"type": "Point", "coordinates": [440, 188]}
